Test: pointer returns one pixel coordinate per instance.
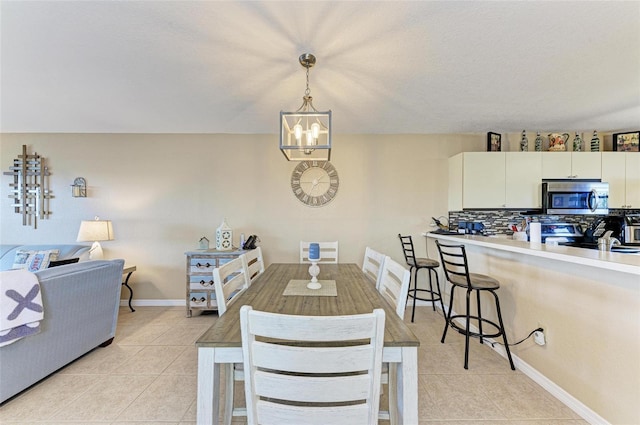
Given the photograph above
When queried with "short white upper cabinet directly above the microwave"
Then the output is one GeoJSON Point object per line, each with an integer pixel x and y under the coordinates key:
{"type": "Point", "coordinates": [571, 165]}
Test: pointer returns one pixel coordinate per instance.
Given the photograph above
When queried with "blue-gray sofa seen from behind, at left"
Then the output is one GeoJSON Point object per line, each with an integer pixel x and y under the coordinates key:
{"type": "Point", "coordinates": [80, 303]}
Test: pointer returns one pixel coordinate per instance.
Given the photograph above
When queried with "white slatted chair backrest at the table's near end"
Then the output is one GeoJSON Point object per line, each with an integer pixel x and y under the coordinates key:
{"type": "Point", "coordinates": [312, 369]}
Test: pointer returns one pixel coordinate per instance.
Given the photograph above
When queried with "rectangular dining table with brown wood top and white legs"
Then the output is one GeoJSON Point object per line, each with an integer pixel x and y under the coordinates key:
{"type": "Point", "coordinates": [222, 342]}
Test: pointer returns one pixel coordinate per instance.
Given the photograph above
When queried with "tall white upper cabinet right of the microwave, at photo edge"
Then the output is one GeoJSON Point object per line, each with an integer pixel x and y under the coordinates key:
{"type": "Point", "coordinates": [622, 171]}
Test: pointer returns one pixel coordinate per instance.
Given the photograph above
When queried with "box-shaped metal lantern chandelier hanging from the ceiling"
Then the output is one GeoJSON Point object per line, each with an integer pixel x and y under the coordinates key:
{"type": "Point", "coordinates": [306, 133]}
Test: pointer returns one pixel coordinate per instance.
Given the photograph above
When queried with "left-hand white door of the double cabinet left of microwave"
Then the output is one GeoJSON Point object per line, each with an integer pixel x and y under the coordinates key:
{"type": "Point", "coordinates": [483, 180]}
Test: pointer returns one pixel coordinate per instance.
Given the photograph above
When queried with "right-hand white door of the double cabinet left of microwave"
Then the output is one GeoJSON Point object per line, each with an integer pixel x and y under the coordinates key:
{"type": "Point", "coordinates": [523, 177]}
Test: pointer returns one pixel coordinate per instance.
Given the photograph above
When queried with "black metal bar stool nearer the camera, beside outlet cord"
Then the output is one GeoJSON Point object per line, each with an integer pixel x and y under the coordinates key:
{"type": "Point", "coordinates": [456, 269]}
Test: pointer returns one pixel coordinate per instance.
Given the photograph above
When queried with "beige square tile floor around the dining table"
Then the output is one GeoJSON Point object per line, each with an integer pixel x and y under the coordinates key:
{"type": "Point", "coordinates": [148, 376]}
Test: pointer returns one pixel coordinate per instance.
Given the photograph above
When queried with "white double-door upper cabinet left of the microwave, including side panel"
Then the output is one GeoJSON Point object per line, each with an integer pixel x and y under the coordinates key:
{"type": "Point", "coordinates": [494, 180]}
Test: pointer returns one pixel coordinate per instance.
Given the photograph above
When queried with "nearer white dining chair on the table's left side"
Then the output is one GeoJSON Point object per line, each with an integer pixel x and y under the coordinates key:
{"type": "Point", "coordinates": [230, 280]}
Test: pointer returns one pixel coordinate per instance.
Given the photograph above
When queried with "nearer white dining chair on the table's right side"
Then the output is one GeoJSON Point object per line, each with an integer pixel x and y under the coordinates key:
{"type": "Point", "coordinates": [394, 287]}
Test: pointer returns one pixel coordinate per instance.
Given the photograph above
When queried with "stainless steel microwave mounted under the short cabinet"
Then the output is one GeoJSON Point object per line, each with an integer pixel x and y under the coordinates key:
{"type": "Point", "coordinates": [575, 197]}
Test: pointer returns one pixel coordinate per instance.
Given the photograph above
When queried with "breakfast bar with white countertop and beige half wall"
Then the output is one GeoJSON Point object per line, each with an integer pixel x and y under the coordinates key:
{"type": "Point", "coordinates": [588, 303]}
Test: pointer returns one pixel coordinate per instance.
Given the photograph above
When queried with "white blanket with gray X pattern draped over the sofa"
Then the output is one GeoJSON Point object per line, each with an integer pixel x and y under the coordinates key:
{"type": "Point", "coordinates": [20, 305]}
